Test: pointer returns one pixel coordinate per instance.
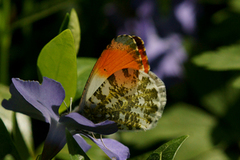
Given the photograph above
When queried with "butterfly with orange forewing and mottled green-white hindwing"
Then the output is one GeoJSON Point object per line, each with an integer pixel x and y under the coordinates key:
{"type": "Point", "coordinates": [122, 88]}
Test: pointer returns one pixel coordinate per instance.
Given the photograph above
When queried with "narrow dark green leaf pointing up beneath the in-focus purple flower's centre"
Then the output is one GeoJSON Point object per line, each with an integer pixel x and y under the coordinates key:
{"type": "Point", "coordinates": [74, 149]}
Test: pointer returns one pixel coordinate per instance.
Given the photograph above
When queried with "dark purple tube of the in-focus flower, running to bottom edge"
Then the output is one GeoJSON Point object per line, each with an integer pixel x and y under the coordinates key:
{"type": "Point", "coordinates": [55, 141]}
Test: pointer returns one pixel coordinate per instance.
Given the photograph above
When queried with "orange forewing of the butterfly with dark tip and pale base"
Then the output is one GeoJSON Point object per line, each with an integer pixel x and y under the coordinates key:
{"type": "Point", "coordinates": [123, 52]}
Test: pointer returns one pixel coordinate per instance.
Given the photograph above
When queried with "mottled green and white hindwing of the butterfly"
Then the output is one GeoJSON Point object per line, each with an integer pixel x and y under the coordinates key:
{"type": "Point", "coordinates": [132, 98]}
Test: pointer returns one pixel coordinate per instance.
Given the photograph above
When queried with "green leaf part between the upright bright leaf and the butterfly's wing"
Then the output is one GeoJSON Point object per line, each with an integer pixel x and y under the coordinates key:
{"type": "Point", "coordinates": [84, 68]}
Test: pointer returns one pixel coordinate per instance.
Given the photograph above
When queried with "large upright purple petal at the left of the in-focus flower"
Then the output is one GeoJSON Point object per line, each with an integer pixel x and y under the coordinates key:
{"type": "Point", "coordinates": [35, 100]}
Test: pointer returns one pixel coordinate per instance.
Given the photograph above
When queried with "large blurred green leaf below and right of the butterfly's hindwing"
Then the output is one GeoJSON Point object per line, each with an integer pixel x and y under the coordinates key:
{"type": "Point", "coordinates": [178, 119]}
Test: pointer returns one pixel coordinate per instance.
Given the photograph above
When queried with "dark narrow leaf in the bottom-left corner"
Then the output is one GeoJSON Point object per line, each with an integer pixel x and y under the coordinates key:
{"type": "Point", "coordinates": [6, 145]}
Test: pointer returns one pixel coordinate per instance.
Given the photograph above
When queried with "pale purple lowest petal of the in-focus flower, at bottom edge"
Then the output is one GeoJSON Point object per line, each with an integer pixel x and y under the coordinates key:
{"type": "Point", "coordinates": [114, 148]}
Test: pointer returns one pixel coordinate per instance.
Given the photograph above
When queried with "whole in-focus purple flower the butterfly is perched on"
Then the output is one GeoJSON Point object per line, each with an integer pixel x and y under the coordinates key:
{"type": "Point", "coordinates": [43, 101]}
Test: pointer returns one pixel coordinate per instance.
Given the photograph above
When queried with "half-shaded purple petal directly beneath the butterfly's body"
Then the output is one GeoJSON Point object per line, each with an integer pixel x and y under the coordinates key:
{"type": "Point", "coordinates": [75, 121]}
